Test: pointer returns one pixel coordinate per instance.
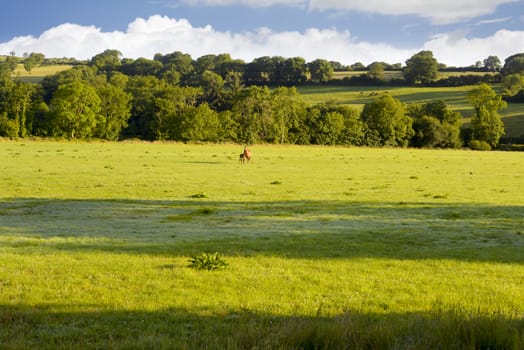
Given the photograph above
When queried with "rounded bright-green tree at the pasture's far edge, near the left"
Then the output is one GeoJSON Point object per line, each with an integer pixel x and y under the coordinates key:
{"type": "Point", "coordinates": [75, 109]}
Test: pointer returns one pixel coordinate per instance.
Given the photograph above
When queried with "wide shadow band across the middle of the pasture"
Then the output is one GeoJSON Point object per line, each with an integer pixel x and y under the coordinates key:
{"type": "Point", "coordinates": [291, 229]}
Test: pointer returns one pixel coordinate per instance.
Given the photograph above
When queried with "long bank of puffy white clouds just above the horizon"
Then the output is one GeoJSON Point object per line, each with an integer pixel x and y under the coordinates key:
{"type": "Point", "coordinates": [159, 34]}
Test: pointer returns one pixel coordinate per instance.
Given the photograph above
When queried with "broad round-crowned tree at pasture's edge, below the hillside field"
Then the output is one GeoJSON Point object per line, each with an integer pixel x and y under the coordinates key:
{"type": "Point", "coordinates": [387, 117]}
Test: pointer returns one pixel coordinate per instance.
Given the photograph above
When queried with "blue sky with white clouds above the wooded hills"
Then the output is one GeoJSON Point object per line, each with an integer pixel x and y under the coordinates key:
{"type": "Point", "coordinates": [459, 32]}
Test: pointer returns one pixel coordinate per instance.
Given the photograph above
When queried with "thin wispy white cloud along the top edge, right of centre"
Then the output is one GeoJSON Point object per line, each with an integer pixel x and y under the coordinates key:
{"type": "Point", "coordinates": [437, 11]}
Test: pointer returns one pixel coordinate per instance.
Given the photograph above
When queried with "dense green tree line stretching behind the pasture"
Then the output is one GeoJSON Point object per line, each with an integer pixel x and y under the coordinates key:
{"type": "Point", "coordinates": [211, 99]}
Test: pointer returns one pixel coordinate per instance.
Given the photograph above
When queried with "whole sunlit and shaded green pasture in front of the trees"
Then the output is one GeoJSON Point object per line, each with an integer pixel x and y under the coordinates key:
{"type": "Point", "coordinates": [327, 247]}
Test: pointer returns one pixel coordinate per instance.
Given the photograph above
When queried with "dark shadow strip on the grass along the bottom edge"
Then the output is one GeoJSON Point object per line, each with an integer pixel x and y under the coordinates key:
{"type": "Point", "coordinates": [52, 328]}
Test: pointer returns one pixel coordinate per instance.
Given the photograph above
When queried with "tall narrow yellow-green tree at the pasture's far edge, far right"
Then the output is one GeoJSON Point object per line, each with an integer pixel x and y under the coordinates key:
{"type": "Point", "coordinates": [486, 124]}
